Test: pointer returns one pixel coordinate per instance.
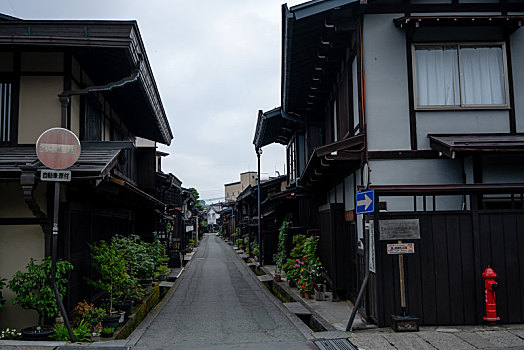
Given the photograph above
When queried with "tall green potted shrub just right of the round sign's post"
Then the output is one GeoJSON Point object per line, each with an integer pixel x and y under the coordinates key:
{"type": "Point", "coordinates": [110, 266]}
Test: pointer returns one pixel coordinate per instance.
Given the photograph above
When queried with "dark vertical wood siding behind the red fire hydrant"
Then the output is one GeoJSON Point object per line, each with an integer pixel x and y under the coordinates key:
{"type": "Point", "coordinates": [442, 286]}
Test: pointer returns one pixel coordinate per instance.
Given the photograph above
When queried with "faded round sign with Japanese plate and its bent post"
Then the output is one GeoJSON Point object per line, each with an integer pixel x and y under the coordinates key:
{"type": "Point", "coordinates": [58, 149]}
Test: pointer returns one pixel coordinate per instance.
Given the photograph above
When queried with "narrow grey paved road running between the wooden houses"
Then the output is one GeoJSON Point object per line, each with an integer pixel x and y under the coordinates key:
{"type": "Point", "coordinates": [218, 304]}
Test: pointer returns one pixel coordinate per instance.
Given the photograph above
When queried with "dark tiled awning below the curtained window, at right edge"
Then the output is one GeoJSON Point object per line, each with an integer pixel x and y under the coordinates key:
{"type": "Point", "coordinates": [451, 144]}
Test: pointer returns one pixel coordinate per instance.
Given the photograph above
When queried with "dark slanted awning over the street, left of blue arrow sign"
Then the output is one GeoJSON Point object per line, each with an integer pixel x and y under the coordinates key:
{"type": "Point", "coordinates": [331, 163]}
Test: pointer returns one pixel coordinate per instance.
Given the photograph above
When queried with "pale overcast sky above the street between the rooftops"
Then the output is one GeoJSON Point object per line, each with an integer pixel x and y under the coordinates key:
{"type": "Point", "coordinates": [216, 63]}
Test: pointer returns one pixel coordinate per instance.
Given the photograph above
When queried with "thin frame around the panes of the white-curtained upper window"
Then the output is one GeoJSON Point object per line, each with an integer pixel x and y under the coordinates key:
{"type": "Point", "coordinates": [462, 106]}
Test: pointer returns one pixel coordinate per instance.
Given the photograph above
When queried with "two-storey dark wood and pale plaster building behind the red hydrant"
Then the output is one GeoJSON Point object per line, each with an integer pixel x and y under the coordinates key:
{"type": "Point", "coordinates": [422, 102]}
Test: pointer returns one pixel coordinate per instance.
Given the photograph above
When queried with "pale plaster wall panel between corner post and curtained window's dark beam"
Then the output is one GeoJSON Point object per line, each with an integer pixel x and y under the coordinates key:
{"type": "Point", "coordinates": [387, 97]}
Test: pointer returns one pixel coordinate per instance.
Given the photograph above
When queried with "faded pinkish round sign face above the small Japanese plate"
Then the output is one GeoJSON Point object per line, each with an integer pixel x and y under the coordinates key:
{"type": "Point", "coordinates": [58, 148]}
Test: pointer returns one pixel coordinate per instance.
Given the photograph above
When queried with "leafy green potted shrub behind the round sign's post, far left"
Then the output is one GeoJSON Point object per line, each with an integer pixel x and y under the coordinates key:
{"type": "Point", "coordinates": [34, 291]}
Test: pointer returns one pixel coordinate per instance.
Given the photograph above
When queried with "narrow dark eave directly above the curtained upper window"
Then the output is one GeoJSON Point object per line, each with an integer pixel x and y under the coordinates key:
{"type": "Point", "coordinates": [511, 23]}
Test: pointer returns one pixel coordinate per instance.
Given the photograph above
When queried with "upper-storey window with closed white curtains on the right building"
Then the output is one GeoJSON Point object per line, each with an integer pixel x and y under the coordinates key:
{"type": "Point", "coordinates": [460, 76]}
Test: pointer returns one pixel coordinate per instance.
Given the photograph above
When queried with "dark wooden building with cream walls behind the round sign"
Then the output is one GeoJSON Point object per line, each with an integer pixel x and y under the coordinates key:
{"type": "Point", "coordinates": [93, 78]}
